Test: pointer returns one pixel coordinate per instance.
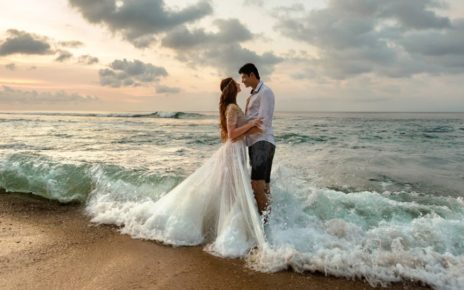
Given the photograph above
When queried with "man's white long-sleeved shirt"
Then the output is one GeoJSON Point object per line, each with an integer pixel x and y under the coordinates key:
{"type": "Point", "coordinates": [261, 104]}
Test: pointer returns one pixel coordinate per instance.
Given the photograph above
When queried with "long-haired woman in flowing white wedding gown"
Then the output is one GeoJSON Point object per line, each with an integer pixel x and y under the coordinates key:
{"type": "Point", "coordinates": [215, 205]}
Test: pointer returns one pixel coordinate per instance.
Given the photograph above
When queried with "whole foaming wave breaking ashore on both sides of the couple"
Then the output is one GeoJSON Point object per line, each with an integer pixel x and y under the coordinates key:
{"type": "Point", "coordinates": [382, 237]}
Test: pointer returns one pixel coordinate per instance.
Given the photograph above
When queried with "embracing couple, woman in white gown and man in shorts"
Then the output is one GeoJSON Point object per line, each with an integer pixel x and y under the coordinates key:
{"type": "Point", "coordinates": [222, 204]}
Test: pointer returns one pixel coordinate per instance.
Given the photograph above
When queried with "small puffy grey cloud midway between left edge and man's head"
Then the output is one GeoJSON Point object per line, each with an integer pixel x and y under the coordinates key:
{"type": "Point", "coordinates": [123, 73]}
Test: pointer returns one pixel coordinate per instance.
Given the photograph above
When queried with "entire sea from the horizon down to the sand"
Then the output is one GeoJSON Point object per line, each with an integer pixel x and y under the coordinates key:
{"type": "Point", "coordinates": [376, 196]}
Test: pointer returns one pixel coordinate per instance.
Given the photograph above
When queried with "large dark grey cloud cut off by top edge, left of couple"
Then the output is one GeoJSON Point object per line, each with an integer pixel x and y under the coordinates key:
{"type": "Point", "coordinates": [139, 21]}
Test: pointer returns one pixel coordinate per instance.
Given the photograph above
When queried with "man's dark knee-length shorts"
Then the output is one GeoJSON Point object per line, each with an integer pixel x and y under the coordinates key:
{"type": "Point", "coordinates": [261, 154]}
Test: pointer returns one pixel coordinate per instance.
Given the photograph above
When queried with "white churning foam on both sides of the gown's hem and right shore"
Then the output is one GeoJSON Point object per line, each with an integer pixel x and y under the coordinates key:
{"type": "Point", "coordinates": [381, 238]}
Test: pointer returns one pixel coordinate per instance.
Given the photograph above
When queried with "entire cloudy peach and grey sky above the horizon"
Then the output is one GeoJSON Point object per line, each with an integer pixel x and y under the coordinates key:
{"type": "Point", "coordinates": [155, 55]}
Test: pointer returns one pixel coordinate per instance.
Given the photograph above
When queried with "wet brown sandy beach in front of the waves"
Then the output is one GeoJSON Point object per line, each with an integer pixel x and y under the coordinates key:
{"type": "Point", "coordinates": [48, 245]}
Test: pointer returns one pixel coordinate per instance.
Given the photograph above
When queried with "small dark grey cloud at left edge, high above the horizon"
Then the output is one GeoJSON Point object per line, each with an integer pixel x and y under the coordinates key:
{"type": "Point", "coordinates": [24, 43]}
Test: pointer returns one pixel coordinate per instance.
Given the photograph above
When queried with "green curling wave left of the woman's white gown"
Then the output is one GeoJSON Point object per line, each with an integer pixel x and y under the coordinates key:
{"type": "Point", "coordinates": [74, 182]}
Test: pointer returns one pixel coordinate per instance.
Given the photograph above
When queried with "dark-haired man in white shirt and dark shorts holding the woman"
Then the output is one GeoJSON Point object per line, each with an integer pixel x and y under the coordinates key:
{"type": "Point", "coordinates": [261, 145]}
